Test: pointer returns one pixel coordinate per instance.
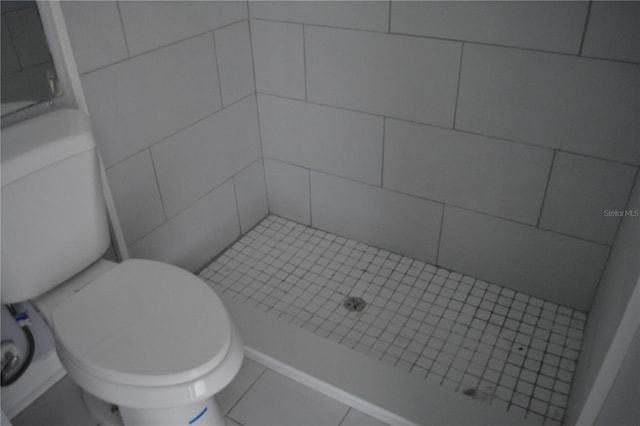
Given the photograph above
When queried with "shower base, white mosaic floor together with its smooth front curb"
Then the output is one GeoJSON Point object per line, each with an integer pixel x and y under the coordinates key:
{"type": "Point", "coordinates": [431, 347]}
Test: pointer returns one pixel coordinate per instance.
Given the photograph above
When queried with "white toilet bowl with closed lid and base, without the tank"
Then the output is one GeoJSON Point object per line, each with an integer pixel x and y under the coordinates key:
{"type": "Point", "coordinates": [150, 338]}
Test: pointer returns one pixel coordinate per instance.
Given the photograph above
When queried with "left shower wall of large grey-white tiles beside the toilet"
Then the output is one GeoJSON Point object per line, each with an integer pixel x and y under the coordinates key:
{"type": "Point", "coordinates": [171, 93]}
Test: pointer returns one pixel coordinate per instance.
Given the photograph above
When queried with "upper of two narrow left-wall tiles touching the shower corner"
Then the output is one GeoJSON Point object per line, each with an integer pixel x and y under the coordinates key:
{"type": "Point", "coordinates": [235, 63]}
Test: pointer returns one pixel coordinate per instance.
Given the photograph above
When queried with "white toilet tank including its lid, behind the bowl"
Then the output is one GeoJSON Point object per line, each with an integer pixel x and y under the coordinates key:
{"type": "Point", "coordinates": [54, 219]}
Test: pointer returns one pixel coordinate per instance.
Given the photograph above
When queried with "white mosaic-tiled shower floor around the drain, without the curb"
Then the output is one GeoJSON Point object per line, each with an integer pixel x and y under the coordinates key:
{"type": "Point", "coordinates": [493, 344]}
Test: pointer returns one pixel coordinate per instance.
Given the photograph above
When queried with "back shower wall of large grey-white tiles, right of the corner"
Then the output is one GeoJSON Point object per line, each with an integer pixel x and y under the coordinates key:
{"type": "Point", "coordinates": [488, 138]}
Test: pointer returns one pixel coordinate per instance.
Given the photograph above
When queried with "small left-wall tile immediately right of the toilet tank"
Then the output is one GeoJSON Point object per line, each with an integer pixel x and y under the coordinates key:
{"type": "Point", "coordinates": [135, 192]}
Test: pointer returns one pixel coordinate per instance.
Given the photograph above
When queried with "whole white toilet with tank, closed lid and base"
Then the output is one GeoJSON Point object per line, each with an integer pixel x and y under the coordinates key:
{"type": "Point", "coordinates": [146, 336]}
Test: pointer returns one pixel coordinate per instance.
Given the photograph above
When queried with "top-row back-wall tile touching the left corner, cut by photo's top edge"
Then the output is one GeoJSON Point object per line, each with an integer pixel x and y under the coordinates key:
{"type": "Point", "coordinates": [363, 15]}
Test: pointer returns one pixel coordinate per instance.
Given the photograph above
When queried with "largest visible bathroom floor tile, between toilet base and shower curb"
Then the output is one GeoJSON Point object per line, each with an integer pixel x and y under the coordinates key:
{"type": "Point", "coordinates": [279, 401]}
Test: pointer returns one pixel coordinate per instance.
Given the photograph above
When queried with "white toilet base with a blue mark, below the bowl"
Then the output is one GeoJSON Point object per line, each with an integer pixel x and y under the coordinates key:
{"type": "Point", "coordinates": [202, 413]}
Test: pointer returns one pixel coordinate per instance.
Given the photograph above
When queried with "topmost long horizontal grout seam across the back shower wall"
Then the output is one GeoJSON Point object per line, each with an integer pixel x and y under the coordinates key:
{"type": "Point", "coordinates": [458, 40]}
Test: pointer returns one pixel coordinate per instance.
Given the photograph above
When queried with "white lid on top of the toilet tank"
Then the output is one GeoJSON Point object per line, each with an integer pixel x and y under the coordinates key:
{"type": "Point", "coordinates": [34, 144]}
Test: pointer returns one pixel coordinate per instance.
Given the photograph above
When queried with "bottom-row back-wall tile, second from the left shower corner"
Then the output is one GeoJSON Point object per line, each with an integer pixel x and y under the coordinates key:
{"type": "Point", "coordinates": [383, 218]}
